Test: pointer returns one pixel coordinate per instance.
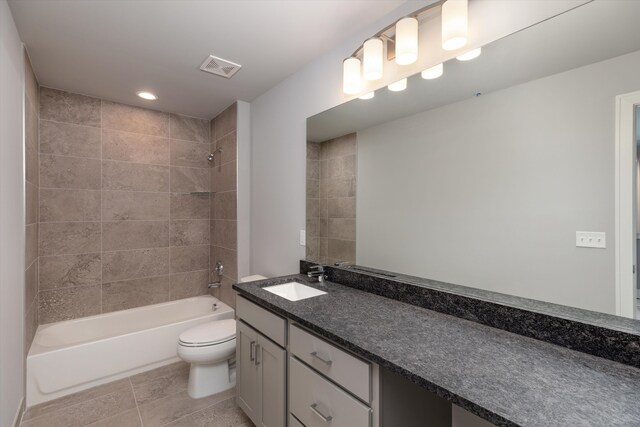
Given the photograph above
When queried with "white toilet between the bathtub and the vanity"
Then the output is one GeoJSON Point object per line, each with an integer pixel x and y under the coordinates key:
{"type": "Point", "coordinates": [210, 348]}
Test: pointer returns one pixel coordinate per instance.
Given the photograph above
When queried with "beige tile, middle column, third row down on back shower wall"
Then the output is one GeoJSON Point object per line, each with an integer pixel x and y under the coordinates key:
{"type": "Point", "coordinates": [134, 176]}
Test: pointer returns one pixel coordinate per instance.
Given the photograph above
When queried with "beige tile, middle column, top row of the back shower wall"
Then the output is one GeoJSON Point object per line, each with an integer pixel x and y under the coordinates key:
{"type": "Point", "coordinates": [134, 119]}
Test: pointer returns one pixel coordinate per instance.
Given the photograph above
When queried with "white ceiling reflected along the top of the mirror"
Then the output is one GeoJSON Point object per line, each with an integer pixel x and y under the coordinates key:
{"type": "Point", "coordinates": [590, 33]}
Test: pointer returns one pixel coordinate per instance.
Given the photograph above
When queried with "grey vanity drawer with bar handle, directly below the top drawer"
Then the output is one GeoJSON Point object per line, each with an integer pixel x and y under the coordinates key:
{"type": "Point", "coordinates": [318, 403]}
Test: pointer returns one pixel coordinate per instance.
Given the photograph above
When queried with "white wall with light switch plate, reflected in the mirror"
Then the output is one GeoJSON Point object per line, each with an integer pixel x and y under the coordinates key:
{"type": "Point", "coordinates": [490, 191]}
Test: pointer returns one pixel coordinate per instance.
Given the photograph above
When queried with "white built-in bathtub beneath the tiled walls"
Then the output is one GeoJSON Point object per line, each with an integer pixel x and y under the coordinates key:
{"type": "Point", "coordinates": [74, 355]}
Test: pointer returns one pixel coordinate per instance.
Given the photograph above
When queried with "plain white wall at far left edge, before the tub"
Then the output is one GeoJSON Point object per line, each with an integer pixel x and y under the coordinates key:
{"type": "Point", "coordinates": [11, 219]}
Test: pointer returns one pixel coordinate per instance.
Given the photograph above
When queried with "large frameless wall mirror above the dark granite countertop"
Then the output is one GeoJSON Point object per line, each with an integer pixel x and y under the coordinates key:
{"type": "Point", "coordinates": [483, 176]}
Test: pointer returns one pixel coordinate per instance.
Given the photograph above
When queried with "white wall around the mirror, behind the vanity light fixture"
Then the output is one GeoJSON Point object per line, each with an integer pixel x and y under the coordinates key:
{"type": "Point", "coordinates": [278, 125]}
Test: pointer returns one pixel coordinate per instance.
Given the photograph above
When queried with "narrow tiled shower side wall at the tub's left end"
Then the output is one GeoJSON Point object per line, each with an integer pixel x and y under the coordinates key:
{"type": "Point", "coordinates": [31, 204]}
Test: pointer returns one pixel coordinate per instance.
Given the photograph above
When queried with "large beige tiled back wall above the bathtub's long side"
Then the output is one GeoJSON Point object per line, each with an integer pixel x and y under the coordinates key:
{"type": "Point", "coordinates": [118, 225]}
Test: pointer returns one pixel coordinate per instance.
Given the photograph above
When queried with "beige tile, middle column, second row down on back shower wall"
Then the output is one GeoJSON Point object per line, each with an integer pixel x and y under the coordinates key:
{"type": "Point", "coordinates": [134, 147]}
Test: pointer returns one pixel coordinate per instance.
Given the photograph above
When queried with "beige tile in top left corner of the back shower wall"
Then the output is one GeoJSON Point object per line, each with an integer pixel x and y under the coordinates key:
{"type": "Point", "coordinates": [68, 107]}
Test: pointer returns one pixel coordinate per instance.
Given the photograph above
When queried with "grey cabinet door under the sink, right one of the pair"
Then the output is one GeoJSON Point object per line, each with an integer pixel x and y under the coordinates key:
{"type": "Point", "coordinates": [271, 361]}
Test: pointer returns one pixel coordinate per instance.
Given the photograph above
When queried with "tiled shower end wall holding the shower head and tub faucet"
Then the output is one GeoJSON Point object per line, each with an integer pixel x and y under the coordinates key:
{"type": "Point", "coordinates": [224, 224]}
